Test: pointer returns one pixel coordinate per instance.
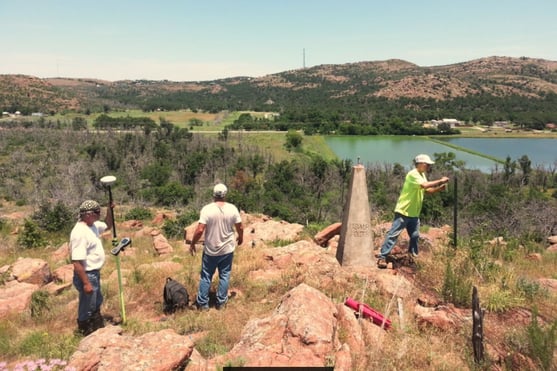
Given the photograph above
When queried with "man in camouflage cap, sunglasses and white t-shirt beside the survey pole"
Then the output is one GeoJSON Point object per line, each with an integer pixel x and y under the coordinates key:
{"type": "Point", "coordinates": [87, 254]}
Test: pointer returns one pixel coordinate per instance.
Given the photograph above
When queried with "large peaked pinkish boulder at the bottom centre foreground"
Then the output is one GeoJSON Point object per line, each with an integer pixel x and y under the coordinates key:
{"type": "Point", "coordinates": [300, 333]}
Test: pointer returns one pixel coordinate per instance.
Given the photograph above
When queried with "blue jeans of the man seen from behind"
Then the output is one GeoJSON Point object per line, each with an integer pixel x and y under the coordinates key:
{"type": "Point", "coordinates": [209, 264]}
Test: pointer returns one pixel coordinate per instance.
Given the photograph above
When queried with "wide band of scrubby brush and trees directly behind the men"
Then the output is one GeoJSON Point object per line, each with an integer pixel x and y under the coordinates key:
{"type": "Point", "coordinates": [173, 168]}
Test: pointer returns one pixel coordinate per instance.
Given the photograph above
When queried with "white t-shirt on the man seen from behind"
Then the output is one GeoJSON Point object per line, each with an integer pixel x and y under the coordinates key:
{"type": "Point", "coordinates": [220, 226]}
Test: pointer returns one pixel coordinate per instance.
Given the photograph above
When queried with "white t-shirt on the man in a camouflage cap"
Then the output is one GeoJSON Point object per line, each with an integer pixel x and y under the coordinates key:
{"type": "Point", "coordinates": [86, 245]}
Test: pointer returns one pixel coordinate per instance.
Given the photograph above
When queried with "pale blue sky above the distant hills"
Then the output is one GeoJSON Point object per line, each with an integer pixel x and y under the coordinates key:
{"type": "Point", "coordinates": [183, 40]}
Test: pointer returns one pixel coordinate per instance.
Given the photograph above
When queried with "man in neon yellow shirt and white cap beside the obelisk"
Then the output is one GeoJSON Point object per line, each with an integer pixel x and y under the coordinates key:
{"type": "Point", "coordinates": [409, 206]}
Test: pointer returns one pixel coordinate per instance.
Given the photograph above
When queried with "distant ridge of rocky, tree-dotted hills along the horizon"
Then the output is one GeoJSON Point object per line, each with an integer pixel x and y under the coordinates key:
{"type": "Point", "coordinates": [349, 84]}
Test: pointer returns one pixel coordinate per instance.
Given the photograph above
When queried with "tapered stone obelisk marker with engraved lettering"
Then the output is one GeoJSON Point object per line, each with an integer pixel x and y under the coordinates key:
{"type": "Point", "coordinates": [355, 246]}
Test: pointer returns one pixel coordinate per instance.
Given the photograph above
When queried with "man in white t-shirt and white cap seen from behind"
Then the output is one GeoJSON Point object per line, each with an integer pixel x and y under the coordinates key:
{"type": "Point", "coordinates": [219, 220]}
